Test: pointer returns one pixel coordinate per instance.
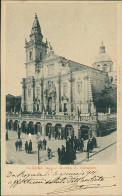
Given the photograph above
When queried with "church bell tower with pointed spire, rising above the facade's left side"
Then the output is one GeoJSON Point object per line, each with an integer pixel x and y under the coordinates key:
{"type": "Point", "coordinates": [36, 49]}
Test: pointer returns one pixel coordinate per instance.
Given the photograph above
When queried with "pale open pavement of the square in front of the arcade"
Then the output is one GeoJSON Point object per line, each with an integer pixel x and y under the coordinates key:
{"type": "Point", "coordinates": [22, 158]}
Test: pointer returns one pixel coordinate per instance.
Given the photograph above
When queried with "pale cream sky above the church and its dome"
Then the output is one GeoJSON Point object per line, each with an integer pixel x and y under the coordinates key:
{"type": "Point", "coordinates": [75, 31]}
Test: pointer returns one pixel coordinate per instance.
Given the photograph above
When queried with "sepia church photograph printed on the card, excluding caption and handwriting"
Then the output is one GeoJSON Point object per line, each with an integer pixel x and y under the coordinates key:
{"type": "Point", "coordinates": [61, 84]}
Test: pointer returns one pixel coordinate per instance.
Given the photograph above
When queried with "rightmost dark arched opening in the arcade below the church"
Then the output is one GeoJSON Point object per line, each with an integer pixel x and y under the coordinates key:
{"type": "Point", "coordinates": [84, 132]}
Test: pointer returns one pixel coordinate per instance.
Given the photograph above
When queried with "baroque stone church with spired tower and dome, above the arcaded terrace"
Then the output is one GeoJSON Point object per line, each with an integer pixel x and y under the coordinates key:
{"type": "Point", "coordinates": [57, 85]}
